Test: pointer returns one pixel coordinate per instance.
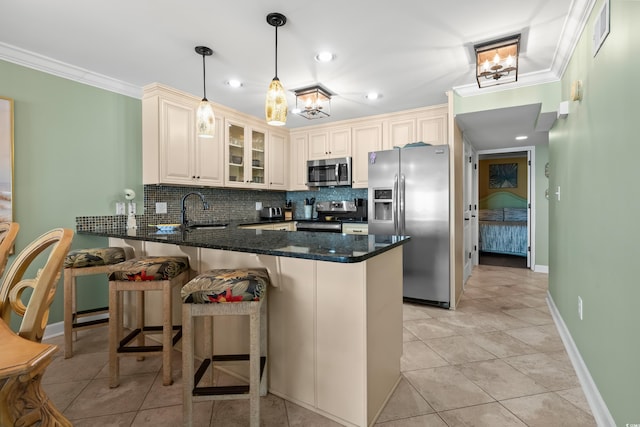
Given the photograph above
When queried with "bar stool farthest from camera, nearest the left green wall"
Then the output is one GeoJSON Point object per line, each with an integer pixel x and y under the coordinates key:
{"type": "Point", "coordinates": [85, 262]}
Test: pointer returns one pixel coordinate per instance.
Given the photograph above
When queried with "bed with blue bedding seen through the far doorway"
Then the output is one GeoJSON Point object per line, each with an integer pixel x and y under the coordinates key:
{"type": "Point", "coordinates": [503, 230]}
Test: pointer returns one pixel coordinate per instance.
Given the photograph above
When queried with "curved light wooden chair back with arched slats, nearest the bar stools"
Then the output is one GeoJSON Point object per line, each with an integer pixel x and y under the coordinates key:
{"type": "Point", "coordinates": [36, 313]}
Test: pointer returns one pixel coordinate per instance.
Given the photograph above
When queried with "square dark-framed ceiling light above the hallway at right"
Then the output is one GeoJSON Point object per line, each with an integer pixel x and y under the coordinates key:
{"type": "Point", "coordinates": [497, 61]}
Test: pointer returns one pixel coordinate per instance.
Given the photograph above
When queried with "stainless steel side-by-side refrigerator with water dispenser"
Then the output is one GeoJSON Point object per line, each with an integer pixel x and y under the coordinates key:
{"type": "Point", "coordinates": [409, 195]}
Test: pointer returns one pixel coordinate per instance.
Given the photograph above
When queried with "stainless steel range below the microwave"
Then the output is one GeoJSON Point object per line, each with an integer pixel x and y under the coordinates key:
{"type": "Point", "coordinates": [331, 215]}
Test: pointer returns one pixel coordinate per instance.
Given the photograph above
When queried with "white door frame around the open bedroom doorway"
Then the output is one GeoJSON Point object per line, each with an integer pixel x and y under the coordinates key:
{"type": "Point", "coordinates": [531, 178]}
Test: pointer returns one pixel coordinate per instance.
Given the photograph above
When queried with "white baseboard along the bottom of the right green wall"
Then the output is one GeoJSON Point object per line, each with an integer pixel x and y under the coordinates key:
{"type": "Point", "coordinates": [598, 407]}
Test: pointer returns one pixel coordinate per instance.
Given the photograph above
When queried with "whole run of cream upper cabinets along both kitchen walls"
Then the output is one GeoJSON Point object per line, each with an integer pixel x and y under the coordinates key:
{"type": "Point", "coordinates": [246, 153]}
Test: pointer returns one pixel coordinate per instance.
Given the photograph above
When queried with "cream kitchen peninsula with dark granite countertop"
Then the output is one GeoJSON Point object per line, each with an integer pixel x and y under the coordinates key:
{"type": "Point", "coordinates": [335, 311]}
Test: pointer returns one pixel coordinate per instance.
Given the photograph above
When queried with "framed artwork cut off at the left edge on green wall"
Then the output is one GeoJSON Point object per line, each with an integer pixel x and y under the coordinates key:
{"type": "Point", "coordinates": [6, 159]}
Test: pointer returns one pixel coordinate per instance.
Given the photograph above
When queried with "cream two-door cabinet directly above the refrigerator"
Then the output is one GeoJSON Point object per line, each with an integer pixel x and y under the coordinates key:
{"type": "Point", "coordinates": [428, 125]}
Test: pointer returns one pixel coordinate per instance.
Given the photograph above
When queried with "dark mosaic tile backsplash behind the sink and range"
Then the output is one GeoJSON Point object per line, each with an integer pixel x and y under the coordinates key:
{"type": "Point", "coordinates": [225, 204]}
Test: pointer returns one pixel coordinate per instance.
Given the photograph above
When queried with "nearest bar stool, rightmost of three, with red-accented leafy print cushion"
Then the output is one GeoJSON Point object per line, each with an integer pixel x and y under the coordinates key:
{"type": "Point", "coordinates": [225, 292]}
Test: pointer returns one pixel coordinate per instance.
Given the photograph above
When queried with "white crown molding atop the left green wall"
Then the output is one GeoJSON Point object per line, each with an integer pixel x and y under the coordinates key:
{"type": "Point", "coordinates": [48, 65]}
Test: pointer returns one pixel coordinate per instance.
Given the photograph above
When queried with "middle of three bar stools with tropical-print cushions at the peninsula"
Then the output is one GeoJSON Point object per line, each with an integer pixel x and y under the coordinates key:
{"type": "Point", "coordinates": [142, 274]}
